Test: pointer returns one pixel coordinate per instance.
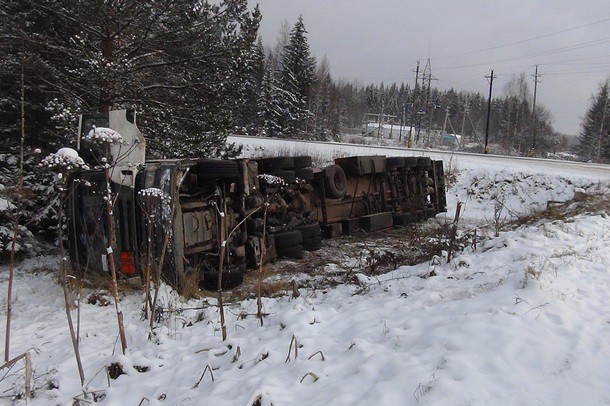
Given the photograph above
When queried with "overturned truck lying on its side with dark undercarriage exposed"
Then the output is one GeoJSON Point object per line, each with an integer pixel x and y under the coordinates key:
{"type": "Point", "coordinates": [194, 220]}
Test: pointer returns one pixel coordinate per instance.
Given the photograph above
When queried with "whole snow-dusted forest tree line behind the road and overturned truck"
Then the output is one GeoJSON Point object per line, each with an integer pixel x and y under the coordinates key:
{"type": "Point", "coordinates": [197, 71]}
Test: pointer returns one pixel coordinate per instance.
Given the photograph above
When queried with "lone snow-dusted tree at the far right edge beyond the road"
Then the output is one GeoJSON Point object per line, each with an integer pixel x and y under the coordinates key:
{"type": "Point", "coordinates": [595, 134]}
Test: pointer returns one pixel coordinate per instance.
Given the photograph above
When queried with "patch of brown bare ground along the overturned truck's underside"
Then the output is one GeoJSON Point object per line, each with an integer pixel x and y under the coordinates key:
{"type": "Point", "coordinates": [341, 259]}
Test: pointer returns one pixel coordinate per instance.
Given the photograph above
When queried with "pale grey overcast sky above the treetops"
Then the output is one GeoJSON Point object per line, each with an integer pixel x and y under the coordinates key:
{"type": "Point", "coordinates": [374, 41]}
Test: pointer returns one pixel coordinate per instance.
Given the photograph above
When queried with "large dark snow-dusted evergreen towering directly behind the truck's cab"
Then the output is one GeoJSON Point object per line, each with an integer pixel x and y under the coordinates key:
{"type": "Point", "coordinates": [181, 63]}
